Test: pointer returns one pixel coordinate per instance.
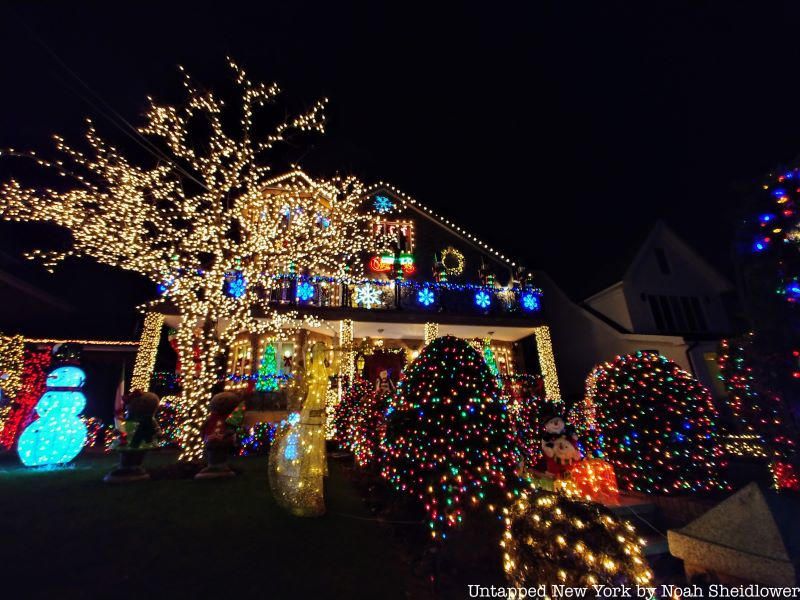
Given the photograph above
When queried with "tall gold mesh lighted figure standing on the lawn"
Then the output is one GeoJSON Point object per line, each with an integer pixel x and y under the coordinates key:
{"type": "Point", "coordinates": [297, 462]}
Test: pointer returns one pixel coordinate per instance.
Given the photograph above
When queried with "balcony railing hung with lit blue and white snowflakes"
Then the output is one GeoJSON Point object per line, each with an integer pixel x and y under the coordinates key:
{"type": "Point", "coordinates": [406, 295]}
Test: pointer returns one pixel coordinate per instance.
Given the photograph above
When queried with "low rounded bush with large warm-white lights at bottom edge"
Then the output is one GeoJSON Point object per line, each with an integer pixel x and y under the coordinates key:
{"type": "Point", "coordinates": [551, 539]}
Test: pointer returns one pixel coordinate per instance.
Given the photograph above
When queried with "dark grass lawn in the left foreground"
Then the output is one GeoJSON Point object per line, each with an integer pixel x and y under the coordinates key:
{"type": "Point", "coordinates": [66, 534]}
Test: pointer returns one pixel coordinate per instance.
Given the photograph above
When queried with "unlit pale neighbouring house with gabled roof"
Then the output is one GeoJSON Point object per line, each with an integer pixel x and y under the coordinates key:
{"type": "Point", "coordinates": [665, 297]}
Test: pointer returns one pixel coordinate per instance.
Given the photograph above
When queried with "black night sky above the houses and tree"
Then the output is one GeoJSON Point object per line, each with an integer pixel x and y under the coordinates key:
{"type": "Point", "coordinates": [558, 131]}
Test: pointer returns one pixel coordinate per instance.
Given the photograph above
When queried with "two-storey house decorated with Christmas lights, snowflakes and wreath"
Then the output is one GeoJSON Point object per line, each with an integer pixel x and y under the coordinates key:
{"type": "Point", "coordinates": [435, 279]}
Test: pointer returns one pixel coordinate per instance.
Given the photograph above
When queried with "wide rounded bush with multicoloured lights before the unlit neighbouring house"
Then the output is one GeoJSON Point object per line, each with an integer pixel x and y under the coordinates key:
{"type": "Point", "coordinates": [656, 424]}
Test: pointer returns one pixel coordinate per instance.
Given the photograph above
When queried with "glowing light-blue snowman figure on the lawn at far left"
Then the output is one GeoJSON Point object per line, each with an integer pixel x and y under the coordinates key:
{"type": "Point", "coordinates": [58, 434]}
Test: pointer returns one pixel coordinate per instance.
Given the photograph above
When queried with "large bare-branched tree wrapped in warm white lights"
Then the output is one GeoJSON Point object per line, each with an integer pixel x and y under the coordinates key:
{"type": "Point", "coordinates": [206, 211]}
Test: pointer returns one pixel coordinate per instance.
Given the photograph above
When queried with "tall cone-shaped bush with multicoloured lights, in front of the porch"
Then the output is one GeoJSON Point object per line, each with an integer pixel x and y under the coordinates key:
{"type": "Point", "coordinates": [448, 438]}
